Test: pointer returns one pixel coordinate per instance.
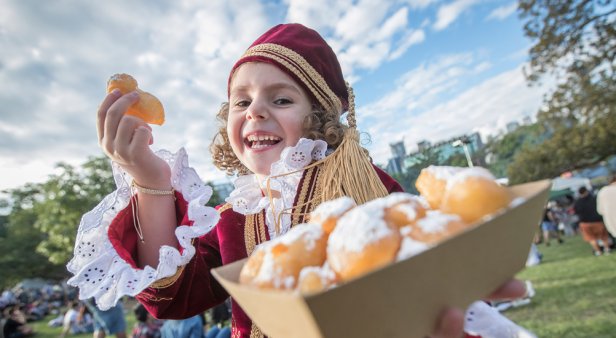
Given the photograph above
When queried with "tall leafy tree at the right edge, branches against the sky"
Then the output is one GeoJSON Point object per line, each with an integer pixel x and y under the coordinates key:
{"type": "Point", "coordinates": [575, 41]}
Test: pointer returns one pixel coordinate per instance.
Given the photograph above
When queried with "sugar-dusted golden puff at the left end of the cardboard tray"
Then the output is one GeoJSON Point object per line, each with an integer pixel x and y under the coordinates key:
{"type": "Point", "coordinates": [277, 263]}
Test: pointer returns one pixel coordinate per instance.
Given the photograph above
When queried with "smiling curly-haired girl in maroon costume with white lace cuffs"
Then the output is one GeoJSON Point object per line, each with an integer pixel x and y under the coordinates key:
{"type": "Point", "coordinates": [281, 132]}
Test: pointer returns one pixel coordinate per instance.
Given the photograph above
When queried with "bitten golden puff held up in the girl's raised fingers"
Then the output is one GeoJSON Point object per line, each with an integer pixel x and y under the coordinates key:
{"type": "Point", "coordinates": [149, 108]}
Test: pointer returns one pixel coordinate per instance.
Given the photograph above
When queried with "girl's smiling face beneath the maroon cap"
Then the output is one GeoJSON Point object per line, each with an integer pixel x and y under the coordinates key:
{"type": "Point", "coordinates": [267, 109]}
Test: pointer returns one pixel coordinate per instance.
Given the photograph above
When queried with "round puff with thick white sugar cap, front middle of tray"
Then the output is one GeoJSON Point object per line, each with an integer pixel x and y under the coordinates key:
{"type": "Point", "coordinates": [361, 242]}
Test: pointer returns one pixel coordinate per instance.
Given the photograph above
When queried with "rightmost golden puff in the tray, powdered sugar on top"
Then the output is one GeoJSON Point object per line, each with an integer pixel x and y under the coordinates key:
{"type": "Point", "coordinates": [473, 194]}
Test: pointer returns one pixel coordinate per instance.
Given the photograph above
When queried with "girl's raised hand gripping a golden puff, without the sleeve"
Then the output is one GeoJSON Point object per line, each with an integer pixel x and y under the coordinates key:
{"type": "Point", "coordinates": [126, 140]}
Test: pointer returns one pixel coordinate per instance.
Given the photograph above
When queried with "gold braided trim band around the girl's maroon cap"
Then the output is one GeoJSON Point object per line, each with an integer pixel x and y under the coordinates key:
{"type": "Point", "coordinates": [302, 69]}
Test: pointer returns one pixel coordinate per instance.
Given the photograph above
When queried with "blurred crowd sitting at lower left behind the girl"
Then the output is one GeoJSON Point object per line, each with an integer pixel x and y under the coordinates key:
{"type": "Point", "coordinates": [19, 307]}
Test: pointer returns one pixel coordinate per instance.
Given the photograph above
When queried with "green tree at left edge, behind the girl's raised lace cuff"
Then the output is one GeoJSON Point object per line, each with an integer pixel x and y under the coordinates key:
{"type": "Point", "coordinates": [42, 223]}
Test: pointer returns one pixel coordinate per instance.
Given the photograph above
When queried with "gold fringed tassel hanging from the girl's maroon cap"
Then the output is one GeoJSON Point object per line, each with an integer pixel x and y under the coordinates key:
{"type": "Point", "coordinates": [348, 171]}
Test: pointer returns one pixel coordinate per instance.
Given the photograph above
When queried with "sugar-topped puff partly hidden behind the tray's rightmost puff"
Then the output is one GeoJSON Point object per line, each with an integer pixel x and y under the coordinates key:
{"type": "Point", "coordinates": [432, 182]}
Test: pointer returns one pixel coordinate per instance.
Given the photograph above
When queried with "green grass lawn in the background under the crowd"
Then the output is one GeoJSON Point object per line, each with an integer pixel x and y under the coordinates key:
{"type": "Point", "coordinates": [575, 295]}
